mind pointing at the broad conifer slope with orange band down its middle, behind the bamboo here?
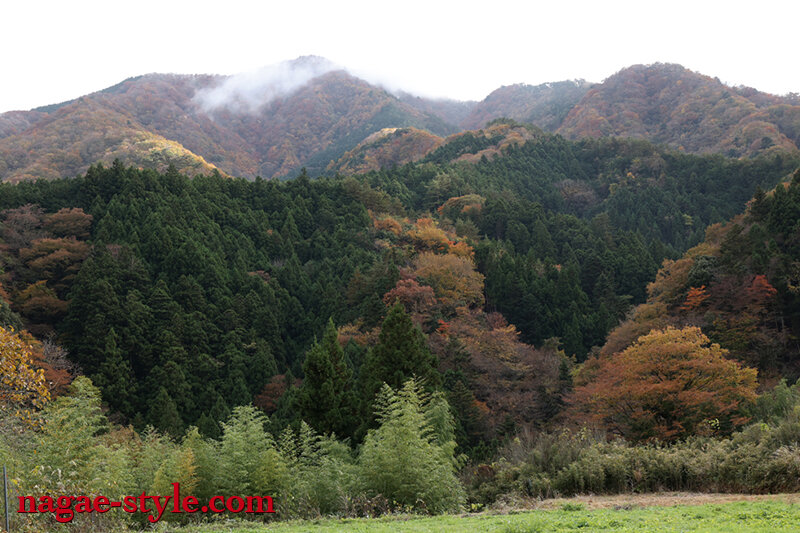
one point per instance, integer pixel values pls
(183, 298)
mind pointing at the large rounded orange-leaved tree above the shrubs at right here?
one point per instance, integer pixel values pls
(667, 385)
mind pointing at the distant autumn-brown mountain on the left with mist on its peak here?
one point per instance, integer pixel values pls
(303, 113)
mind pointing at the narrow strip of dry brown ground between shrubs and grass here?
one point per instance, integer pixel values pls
(657, 499)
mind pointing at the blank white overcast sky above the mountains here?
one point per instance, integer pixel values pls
(51, 51)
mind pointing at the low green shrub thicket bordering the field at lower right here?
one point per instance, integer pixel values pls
(760, 458)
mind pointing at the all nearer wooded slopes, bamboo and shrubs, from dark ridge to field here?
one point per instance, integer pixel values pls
(407, 324)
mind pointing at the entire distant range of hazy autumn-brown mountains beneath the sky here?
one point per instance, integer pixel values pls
(158, 119)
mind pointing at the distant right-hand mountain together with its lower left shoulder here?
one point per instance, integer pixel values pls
(663, 103)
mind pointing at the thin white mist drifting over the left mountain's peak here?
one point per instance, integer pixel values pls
(249, 91)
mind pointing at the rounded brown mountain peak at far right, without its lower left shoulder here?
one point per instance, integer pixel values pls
(670, 104)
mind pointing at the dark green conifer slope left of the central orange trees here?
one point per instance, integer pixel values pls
(190, 295)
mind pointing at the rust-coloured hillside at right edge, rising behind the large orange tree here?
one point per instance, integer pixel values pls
(739, 286)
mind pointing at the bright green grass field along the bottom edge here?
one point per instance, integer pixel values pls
(738, 516)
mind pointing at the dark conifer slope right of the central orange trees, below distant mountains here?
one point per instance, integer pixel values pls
(576, 230)
